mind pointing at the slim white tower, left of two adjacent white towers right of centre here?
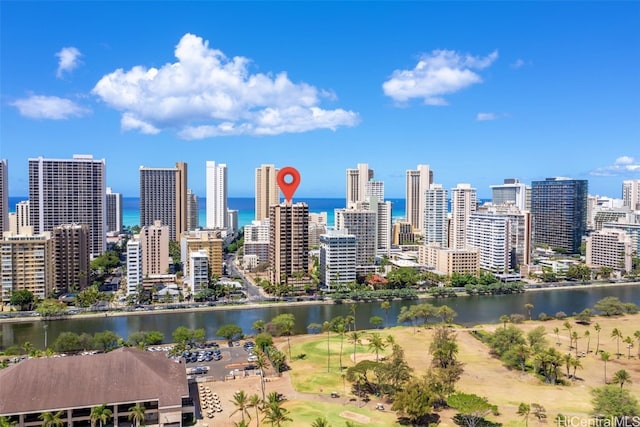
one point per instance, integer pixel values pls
(434, 229)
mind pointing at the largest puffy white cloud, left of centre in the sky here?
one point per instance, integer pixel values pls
(206, 94)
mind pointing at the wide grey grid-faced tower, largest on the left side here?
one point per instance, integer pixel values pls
(69, 191)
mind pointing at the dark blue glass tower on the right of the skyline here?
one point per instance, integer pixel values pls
(559, 212)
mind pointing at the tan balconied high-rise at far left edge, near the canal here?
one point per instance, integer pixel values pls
(27, 263)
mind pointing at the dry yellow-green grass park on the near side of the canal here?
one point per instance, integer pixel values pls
(316, 387)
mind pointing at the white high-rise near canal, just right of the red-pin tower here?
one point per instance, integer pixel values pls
(337, 259)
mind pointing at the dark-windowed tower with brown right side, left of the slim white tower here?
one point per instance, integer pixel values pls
(163, 196)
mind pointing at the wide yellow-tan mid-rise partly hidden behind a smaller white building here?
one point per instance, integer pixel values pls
(208, 240)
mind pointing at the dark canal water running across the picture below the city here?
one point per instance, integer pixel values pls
(471, 311)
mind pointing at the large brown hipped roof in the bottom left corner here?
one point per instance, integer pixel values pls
(123, 375)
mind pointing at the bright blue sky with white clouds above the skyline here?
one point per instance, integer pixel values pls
(480, 91)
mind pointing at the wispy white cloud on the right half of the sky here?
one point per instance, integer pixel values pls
(438, 73)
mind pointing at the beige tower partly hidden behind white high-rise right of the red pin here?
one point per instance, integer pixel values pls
(363, 224)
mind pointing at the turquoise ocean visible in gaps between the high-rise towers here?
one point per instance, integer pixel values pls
(244, 205)
